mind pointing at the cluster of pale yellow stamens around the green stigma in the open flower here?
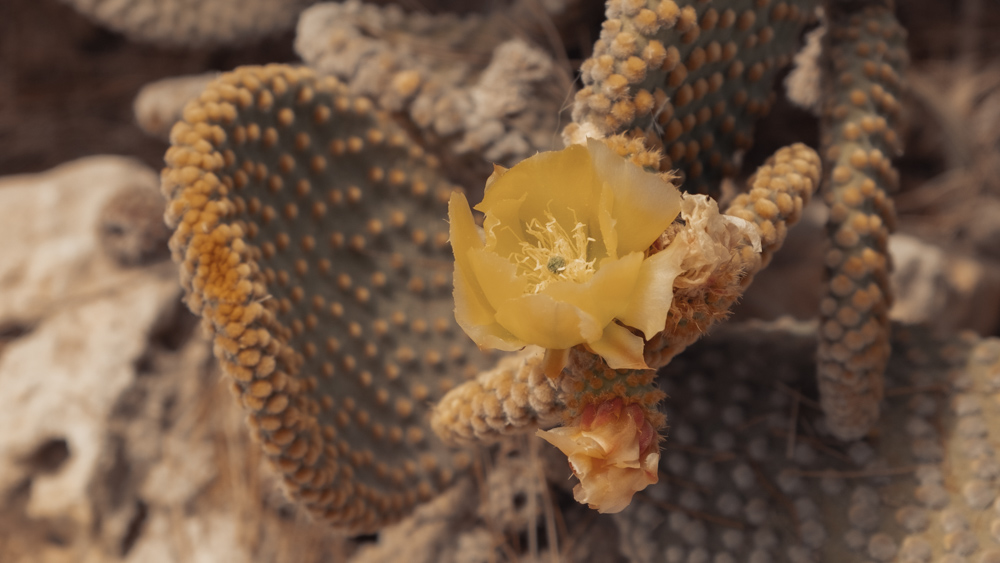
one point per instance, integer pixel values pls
(557, 255)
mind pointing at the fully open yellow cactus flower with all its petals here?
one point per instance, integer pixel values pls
(562, 256)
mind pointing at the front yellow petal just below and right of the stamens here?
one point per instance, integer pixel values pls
(607, 294)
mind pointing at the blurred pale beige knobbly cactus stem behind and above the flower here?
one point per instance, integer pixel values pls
(469, 84)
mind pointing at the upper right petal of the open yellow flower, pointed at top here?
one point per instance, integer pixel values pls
(644, 205)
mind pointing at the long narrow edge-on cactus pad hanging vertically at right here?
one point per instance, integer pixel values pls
(864, 58)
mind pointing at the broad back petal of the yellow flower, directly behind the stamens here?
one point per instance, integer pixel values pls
(559, 182)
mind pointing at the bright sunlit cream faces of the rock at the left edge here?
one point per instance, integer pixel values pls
(89, 324)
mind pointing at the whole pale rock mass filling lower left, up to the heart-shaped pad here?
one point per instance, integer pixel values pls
(120, 441)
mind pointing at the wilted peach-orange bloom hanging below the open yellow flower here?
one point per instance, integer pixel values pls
(613, 451)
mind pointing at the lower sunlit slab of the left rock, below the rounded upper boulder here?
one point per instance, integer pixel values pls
(61, 381)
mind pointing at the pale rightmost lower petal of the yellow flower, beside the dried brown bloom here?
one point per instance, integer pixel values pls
(654, 291)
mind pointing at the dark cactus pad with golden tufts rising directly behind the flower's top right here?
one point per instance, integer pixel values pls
(688, 77)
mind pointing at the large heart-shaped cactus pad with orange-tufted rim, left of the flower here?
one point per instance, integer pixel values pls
(309, 234)
